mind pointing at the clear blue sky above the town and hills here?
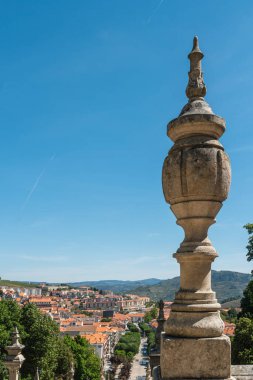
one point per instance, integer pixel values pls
(86, 91)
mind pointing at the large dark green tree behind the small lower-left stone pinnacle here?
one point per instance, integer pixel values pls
(43, 346)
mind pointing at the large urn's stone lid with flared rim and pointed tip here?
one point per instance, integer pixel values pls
(196, 117)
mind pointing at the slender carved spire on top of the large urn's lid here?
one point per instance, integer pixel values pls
(196, 87)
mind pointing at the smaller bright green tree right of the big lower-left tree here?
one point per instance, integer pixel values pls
(87, 364)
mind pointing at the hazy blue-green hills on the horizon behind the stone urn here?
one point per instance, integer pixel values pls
(226, 284)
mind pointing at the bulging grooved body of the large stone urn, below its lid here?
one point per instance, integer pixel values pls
(196, 170)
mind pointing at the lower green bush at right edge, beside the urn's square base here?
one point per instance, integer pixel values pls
(242, 343)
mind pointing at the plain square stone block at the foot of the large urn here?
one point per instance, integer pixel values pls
(195, 358)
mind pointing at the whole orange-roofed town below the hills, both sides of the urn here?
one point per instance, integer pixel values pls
(99, 316)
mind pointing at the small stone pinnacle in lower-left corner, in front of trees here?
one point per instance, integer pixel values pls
(14, 358)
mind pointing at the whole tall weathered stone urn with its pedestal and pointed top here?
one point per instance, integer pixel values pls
(196, 179)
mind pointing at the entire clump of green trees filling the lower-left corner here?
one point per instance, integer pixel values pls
(44, 348)
